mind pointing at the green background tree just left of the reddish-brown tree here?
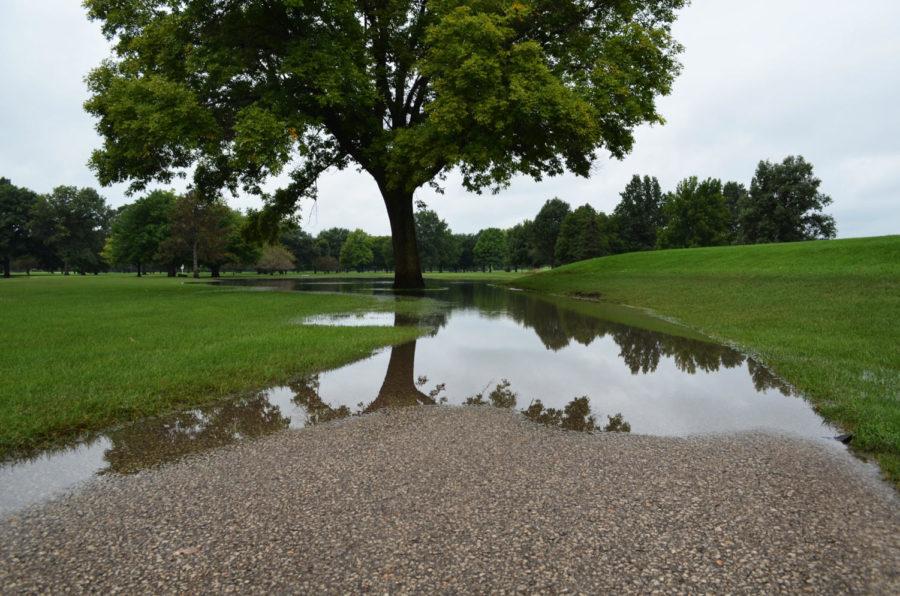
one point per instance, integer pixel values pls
(139, 229)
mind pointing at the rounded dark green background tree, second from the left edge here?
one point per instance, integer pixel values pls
(72, 224)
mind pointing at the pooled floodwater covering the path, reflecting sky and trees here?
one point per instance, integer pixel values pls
(483, 344)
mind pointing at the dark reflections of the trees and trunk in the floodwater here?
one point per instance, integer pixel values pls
(167, 438)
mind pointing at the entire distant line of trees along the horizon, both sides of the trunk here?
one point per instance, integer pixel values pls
(73, 229)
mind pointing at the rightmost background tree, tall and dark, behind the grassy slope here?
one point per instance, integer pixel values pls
(785, 205)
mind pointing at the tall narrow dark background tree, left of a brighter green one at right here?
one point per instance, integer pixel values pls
(639, 214)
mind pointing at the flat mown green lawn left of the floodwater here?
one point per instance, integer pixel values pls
(82, 353)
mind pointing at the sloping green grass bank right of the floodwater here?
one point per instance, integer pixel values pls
(825, 315)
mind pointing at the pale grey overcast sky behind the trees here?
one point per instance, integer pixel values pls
(762, 80)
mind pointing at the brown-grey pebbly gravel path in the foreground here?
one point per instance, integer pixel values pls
(470, 499)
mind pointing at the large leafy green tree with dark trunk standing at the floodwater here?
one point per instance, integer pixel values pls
(405, 90)
